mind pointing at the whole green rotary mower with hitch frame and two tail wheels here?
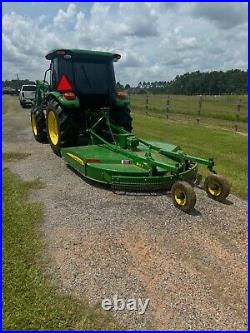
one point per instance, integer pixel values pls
(129, 163)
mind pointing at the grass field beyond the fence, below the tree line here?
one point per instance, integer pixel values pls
(218, 110)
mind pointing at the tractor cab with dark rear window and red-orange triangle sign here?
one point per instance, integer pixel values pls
(87, 74)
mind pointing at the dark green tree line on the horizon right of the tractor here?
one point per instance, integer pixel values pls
(234, 81)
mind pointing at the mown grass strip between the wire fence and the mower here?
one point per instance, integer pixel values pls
(228, 149)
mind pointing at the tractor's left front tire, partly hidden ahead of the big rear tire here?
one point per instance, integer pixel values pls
(38, 125)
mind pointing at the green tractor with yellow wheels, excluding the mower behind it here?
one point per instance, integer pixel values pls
(80, 84)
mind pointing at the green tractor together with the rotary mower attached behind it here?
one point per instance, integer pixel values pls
(88, 123)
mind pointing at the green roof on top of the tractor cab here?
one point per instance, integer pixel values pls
(79, 53)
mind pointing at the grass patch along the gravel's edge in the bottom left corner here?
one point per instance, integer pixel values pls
(29, 300)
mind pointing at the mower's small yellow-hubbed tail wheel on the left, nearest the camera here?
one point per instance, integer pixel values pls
(183, 196)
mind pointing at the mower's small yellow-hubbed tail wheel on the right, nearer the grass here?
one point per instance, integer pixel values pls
(217, 187)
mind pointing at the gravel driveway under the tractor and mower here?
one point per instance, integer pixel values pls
(193, 268)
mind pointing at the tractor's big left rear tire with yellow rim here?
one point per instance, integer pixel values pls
(62, 127)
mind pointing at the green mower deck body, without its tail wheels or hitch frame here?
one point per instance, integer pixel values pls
(130, 170)
